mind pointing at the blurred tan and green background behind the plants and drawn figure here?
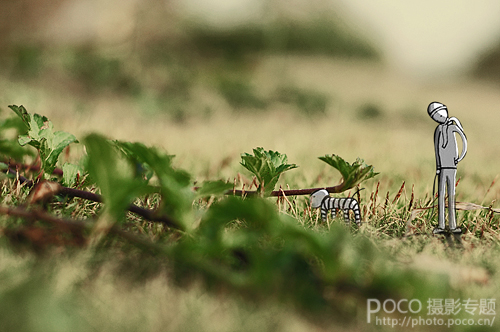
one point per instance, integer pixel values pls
(208, 80)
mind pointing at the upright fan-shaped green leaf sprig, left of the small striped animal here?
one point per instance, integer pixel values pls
(267, 166)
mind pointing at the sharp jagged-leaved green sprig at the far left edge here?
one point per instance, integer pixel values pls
(42, 137)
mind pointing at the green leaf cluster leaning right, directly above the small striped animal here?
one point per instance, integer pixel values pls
(352, 174)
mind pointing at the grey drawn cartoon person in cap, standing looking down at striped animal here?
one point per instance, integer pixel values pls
(446, 149)
